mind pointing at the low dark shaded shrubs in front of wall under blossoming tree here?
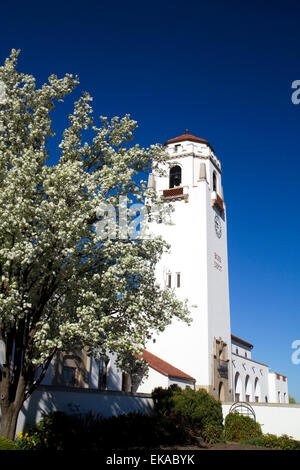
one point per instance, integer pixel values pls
(59, 431)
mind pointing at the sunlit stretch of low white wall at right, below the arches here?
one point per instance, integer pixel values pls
(275, 418)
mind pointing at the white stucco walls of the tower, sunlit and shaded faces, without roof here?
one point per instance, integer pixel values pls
(194, 247)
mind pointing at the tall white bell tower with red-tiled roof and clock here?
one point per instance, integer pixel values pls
(197, 266)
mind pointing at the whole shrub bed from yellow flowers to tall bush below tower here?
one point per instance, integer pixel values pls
(180, 416)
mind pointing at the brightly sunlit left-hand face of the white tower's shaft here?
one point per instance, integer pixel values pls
(182, 345)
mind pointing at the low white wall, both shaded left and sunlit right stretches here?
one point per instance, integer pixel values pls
(274, 418)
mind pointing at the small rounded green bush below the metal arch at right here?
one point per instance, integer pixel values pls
(239, 427)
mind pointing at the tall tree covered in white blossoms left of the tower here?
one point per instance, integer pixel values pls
(63, 285)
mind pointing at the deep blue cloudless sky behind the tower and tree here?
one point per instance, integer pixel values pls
(224, 71)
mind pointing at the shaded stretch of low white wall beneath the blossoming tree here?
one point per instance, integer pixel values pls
(47, 399)
